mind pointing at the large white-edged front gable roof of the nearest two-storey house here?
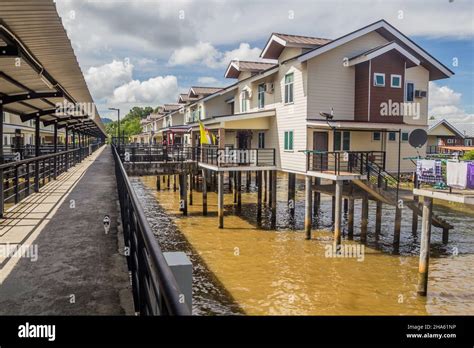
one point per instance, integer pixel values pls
(437, 69)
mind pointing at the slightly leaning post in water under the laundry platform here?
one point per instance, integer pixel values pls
(425, 246)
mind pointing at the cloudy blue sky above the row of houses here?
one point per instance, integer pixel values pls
(146, 52)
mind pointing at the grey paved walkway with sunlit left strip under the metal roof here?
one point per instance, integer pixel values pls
(70, 266)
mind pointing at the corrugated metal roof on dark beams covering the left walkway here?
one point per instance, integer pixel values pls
(39, 70)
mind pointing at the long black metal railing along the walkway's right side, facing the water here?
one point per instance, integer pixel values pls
(155, 290)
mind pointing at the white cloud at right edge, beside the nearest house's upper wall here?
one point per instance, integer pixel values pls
(444, 102)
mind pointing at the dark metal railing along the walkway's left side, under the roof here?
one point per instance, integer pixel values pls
(18, 179)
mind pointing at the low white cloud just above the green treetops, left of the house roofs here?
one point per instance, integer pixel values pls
(154, 91)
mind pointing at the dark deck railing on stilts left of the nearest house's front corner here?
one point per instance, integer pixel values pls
(230, 157)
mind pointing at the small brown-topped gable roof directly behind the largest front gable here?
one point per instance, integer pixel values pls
(277, 42)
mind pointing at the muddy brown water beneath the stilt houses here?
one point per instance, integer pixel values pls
(256, 270)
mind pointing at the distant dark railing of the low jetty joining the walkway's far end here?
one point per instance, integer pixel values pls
(157, 153)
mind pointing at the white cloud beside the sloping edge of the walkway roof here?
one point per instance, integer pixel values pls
(103, 79)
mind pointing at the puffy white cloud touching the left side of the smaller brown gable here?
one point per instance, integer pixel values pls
(206, 54)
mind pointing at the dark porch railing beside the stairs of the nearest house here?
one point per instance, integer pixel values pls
(339, 162)
